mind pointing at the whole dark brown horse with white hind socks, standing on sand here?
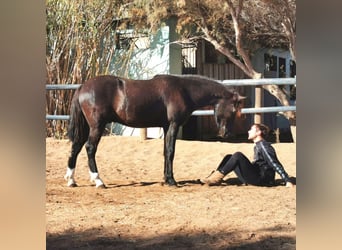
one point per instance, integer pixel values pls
(165, 101)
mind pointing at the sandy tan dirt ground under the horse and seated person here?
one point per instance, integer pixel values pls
(137, 211)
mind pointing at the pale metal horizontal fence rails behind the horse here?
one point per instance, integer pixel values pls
(237, 82)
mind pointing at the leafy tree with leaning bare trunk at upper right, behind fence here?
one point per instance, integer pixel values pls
(233, 27)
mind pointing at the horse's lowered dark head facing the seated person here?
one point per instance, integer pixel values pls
(225, 111)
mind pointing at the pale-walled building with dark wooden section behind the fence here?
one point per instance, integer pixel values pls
(159, 54)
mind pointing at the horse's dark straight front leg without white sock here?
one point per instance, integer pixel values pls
(169, 152)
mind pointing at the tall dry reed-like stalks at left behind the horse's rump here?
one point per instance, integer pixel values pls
(81, 43)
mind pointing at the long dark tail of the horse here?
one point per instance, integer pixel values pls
(78, 128)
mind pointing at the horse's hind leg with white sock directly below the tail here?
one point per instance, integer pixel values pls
(75, 150)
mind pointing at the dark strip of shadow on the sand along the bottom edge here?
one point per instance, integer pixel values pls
(97, 239)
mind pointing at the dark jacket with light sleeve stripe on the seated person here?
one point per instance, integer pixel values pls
(266, 159)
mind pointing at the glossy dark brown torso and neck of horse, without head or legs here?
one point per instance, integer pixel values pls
(145, 103)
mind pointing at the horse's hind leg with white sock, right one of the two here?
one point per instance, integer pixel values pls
(91, 147)
